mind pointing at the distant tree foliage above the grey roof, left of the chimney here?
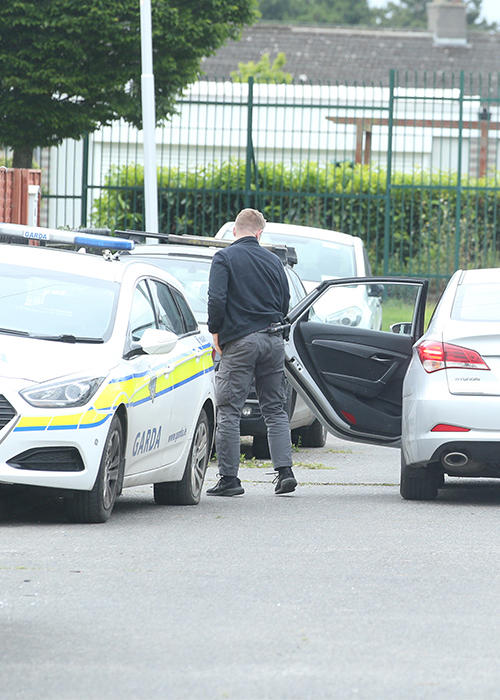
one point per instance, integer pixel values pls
(317, 11)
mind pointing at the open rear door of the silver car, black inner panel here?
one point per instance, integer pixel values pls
(348, 350)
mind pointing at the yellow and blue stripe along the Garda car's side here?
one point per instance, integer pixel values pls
(132, 390)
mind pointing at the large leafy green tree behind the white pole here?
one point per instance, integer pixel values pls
(69, 66)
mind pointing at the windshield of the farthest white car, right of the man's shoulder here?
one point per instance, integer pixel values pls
(318, 260)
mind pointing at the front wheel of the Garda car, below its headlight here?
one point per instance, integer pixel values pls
(96, 506)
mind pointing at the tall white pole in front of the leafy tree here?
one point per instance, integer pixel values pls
(148, 120)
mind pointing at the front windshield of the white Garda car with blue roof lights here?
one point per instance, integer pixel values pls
(54, 305)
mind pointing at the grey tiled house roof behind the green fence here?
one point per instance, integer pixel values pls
(350, 55)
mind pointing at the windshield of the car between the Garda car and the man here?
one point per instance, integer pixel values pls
(193, 274)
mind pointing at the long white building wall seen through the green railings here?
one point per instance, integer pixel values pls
(289, 124)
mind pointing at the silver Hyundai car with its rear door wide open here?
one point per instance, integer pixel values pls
(435, 395)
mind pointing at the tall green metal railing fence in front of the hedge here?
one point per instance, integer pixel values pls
(413, 167)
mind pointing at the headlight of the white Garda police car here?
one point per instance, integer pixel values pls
(62, 394)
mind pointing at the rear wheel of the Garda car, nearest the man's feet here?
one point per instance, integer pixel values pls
(187, 492)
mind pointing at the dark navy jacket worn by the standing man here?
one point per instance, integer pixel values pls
(248, 290)
